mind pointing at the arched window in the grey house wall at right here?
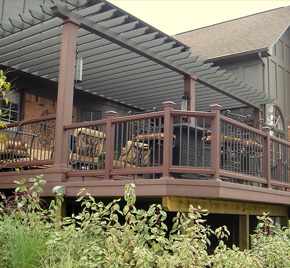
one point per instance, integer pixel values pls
(275, 120)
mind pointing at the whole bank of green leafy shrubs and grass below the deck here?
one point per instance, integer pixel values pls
(119, 234)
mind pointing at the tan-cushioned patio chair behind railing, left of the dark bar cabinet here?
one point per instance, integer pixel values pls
(134, 154)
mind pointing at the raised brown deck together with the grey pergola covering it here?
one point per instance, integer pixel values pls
(76, 130)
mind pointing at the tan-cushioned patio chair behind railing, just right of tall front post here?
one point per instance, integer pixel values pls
(86, 146)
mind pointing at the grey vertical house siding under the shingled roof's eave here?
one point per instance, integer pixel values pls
(269, 74)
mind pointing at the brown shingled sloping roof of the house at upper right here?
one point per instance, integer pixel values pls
(251, 33)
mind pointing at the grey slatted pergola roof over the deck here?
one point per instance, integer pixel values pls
(125, 59)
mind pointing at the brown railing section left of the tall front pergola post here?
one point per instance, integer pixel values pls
(28, 143)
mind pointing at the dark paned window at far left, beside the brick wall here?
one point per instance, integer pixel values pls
(12, 109)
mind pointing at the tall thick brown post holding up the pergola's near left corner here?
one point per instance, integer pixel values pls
(65, 91)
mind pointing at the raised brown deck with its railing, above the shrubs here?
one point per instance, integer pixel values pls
(168, 153)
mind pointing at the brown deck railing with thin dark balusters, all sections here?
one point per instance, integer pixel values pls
(169, 143)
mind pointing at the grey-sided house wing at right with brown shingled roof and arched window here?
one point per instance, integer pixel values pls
(255, 48)
